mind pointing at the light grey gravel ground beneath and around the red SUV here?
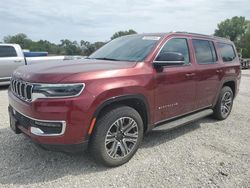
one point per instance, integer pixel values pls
(206, 153)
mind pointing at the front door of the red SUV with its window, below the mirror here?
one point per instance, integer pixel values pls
(175, 85)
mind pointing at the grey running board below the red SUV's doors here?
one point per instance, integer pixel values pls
(184, 120)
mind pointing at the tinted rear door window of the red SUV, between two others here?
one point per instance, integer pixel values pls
(204, 51)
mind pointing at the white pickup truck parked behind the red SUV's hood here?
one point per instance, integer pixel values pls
(11, 57)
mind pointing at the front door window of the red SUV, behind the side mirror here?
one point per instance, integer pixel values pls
(178, 45)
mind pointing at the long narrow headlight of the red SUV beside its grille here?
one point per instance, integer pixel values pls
(56, 90)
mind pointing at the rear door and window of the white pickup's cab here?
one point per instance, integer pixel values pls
(9, 61)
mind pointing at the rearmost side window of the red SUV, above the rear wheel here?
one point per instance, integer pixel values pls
(227, 52)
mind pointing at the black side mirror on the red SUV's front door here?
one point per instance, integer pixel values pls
(168, 59)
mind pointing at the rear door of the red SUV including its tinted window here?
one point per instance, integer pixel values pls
(209, 72)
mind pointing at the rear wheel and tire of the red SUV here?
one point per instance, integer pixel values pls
(224, 103)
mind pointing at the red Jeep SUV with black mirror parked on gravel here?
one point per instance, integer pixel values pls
(128, 87)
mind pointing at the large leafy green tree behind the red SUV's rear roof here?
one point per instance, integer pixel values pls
(233, 28)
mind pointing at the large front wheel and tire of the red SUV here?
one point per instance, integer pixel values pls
(117, 136)
